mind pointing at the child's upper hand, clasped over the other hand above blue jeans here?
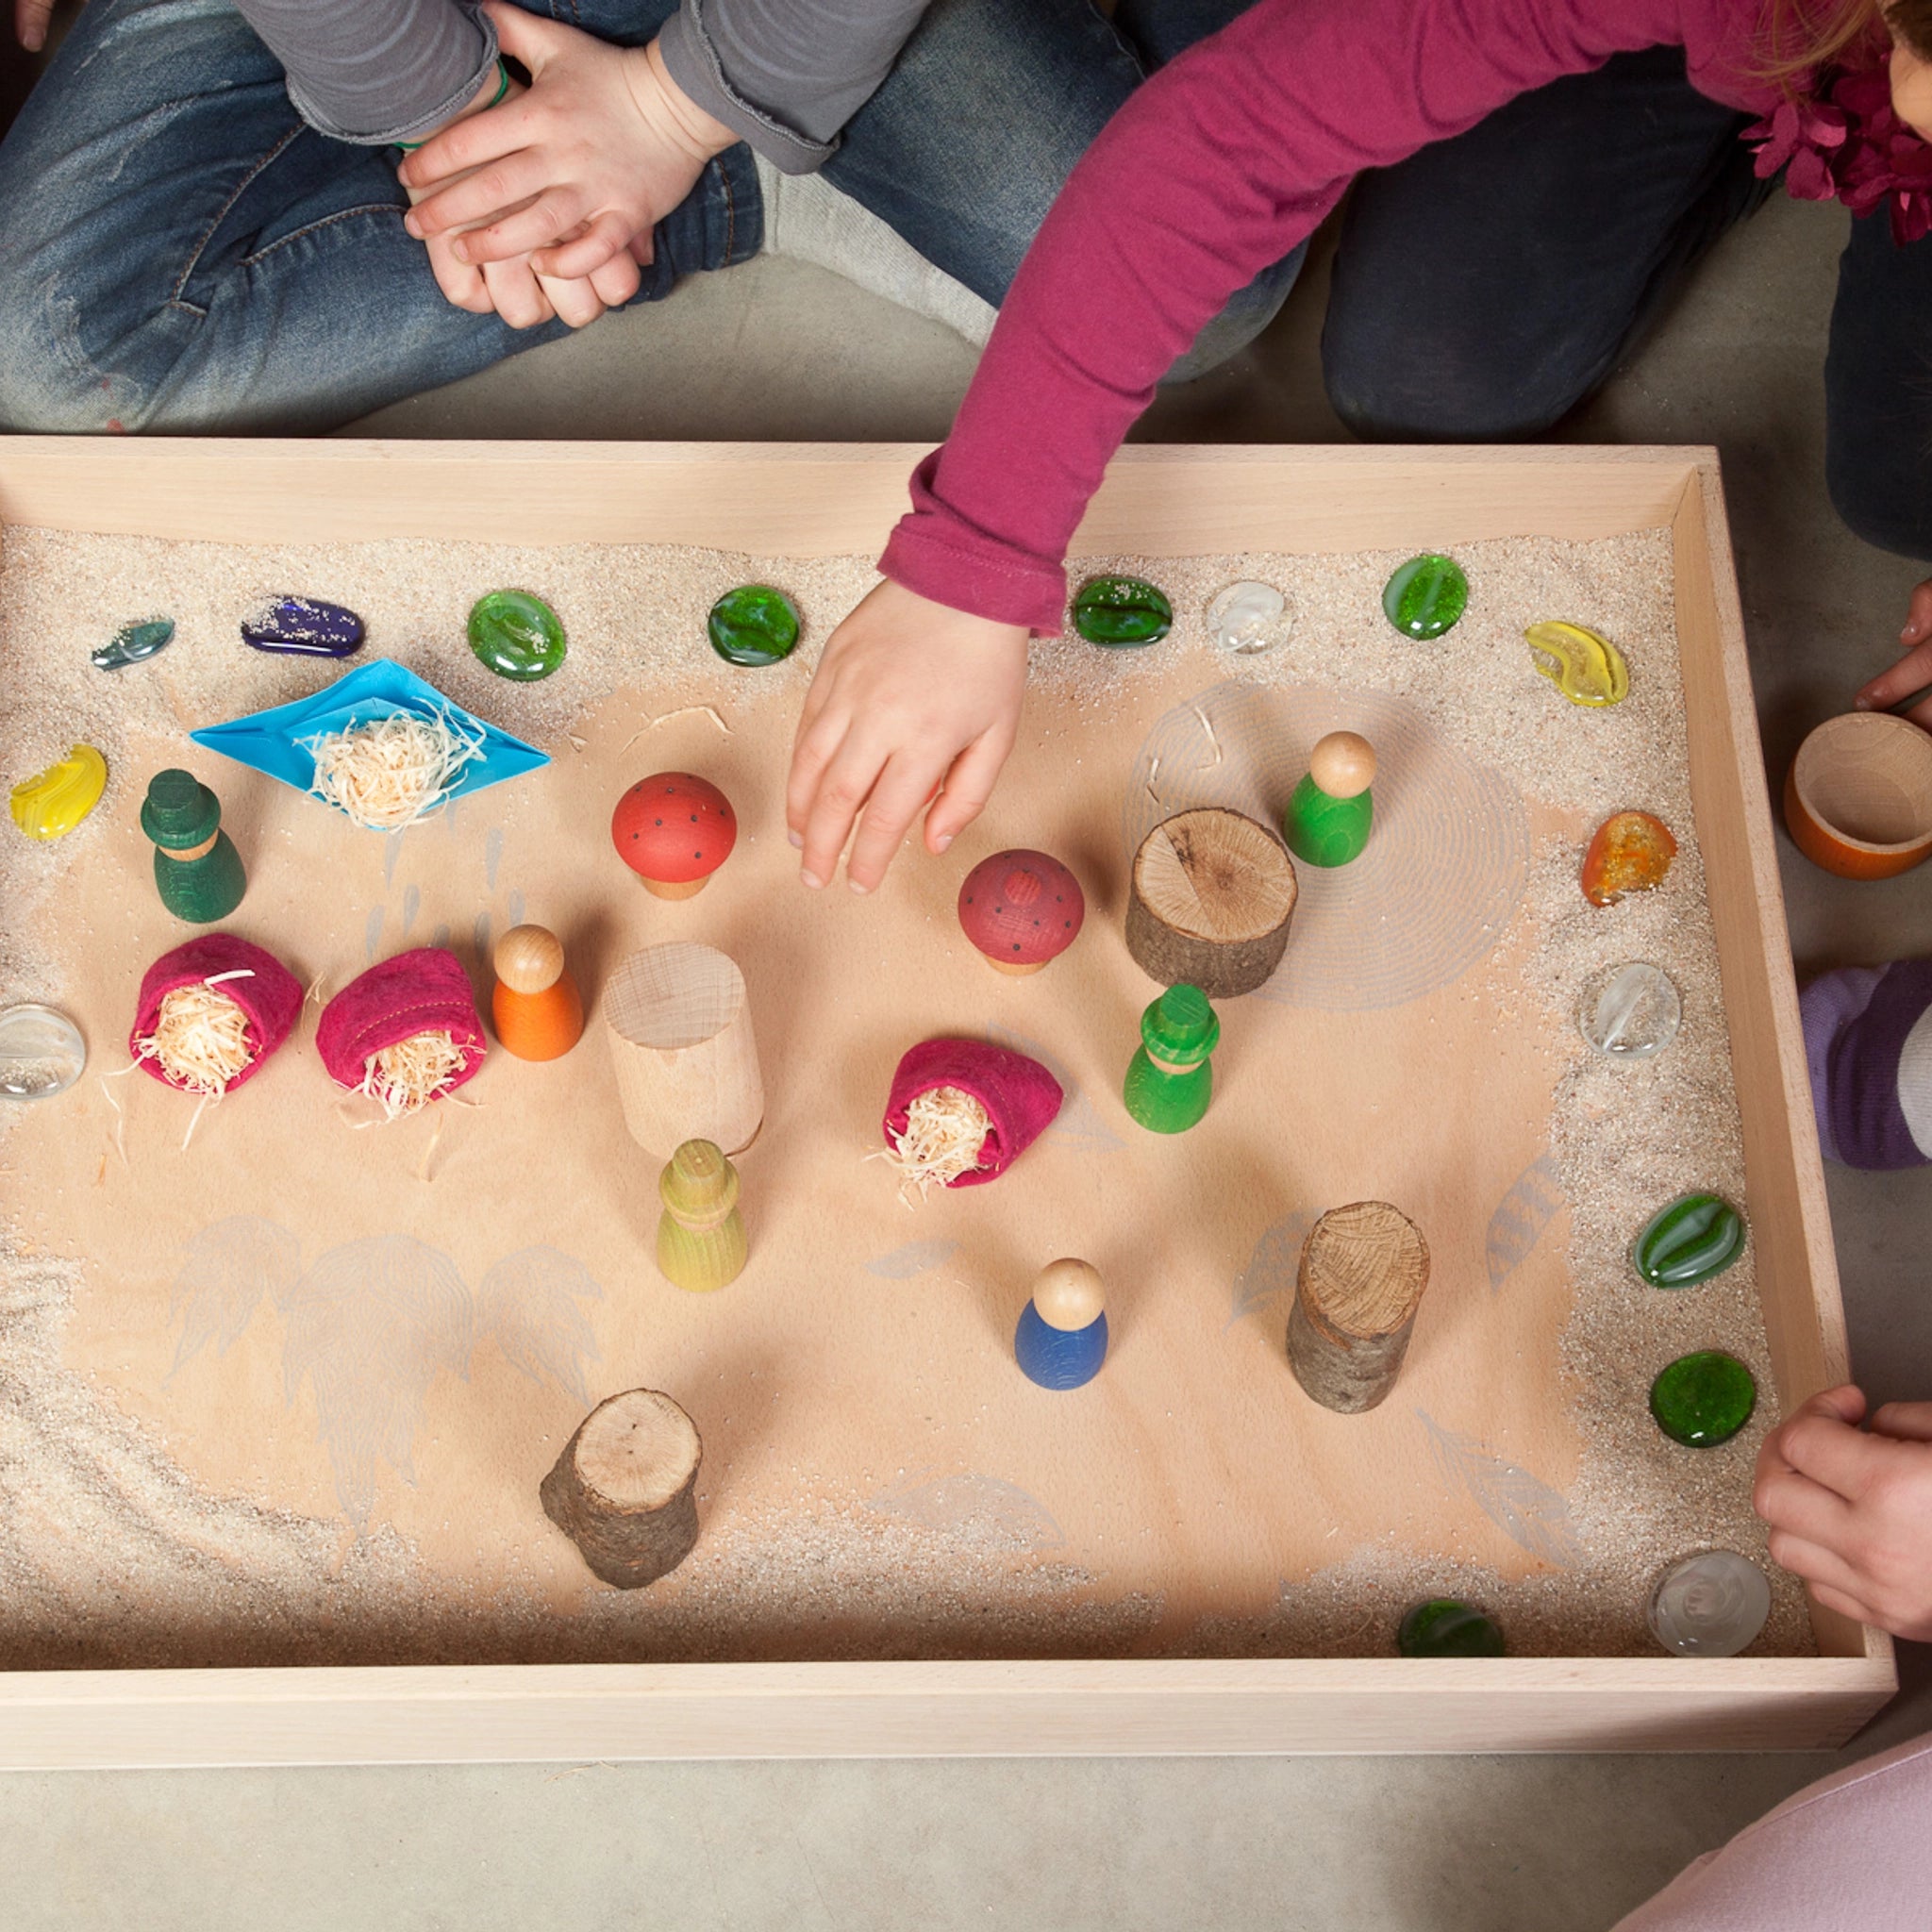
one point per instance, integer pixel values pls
(579, 169)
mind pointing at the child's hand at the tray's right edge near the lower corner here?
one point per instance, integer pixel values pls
(1852, 1510)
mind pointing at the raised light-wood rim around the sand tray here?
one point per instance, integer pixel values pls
(826, 499)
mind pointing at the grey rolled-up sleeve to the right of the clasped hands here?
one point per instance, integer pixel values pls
(787, 74)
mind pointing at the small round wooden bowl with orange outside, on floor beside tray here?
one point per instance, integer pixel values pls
(1860, 797)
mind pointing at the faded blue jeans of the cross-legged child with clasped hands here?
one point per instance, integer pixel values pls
(181, 252)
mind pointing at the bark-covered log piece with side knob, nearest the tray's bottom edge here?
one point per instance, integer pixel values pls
(625, 1491)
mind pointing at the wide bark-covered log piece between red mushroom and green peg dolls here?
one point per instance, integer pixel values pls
(1210, 903)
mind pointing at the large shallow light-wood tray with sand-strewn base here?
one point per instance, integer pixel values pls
(366, 1348)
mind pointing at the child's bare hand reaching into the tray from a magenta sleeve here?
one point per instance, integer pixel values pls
(909, 700)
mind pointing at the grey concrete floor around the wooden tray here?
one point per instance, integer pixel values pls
(1483, 1844)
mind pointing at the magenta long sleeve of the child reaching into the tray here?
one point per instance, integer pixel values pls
(1216, 169)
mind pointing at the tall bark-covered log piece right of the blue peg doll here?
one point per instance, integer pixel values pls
(1363, 1274)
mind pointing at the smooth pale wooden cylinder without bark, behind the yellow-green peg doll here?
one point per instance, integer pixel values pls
(683, 1046)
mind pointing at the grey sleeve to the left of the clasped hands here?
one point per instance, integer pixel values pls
(376, 71)
